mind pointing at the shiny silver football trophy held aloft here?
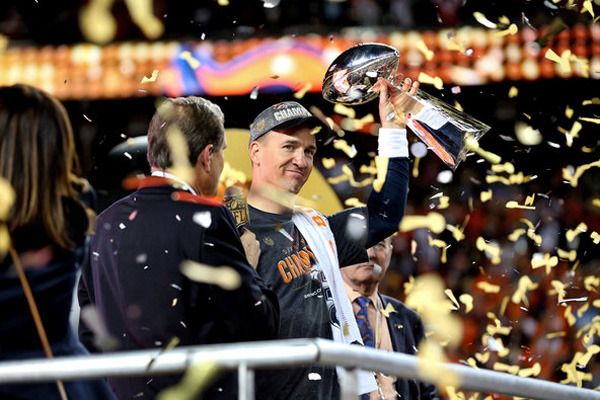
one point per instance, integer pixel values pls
(443, 128)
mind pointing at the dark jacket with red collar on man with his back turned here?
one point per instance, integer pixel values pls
(132, 276)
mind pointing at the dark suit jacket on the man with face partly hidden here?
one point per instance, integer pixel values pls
(406, 331)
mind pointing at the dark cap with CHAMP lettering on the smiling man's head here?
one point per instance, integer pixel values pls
(286, 115)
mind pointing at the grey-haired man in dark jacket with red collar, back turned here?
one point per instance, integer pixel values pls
(133, 274)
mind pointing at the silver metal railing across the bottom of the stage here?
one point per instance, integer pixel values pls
(245, 357)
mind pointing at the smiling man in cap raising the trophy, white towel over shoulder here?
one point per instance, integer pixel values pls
(301, 249)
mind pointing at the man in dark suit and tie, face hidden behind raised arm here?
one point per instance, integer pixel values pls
(385, 323)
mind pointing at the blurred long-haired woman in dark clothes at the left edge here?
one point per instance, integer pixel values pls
(47, 225)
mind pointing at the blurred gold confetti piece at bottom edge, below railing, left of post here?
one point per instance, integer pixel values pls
(196, 379)
